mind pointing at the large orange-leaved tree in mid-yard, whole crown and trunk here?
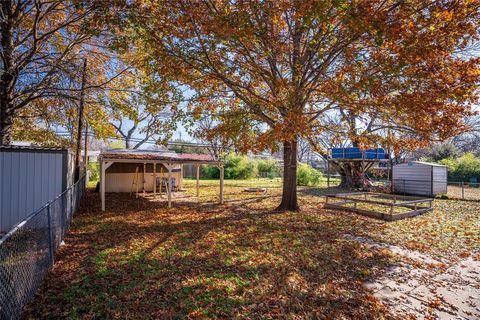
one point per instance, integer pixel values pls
(284, 65)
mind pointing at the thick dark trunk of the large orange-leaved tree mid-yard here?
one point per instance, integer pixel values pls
(289, 195)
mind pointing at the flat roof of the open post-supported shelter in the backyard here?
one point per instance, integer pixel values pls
(135, 154)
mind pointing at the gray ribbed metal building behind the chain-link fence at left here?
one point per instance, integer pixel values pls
(29, 178)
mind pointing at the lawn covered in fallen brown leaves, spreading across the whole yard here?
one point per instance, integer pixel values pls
(141, 260)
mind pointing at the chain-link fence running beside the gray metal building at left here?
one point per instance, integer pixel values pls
(27, 251)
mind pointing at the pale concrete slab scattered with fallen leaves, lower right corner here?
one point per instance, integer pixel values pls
(452, 293)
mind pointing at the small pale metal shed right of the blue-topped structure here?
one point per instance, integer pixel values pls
(420, 178)
